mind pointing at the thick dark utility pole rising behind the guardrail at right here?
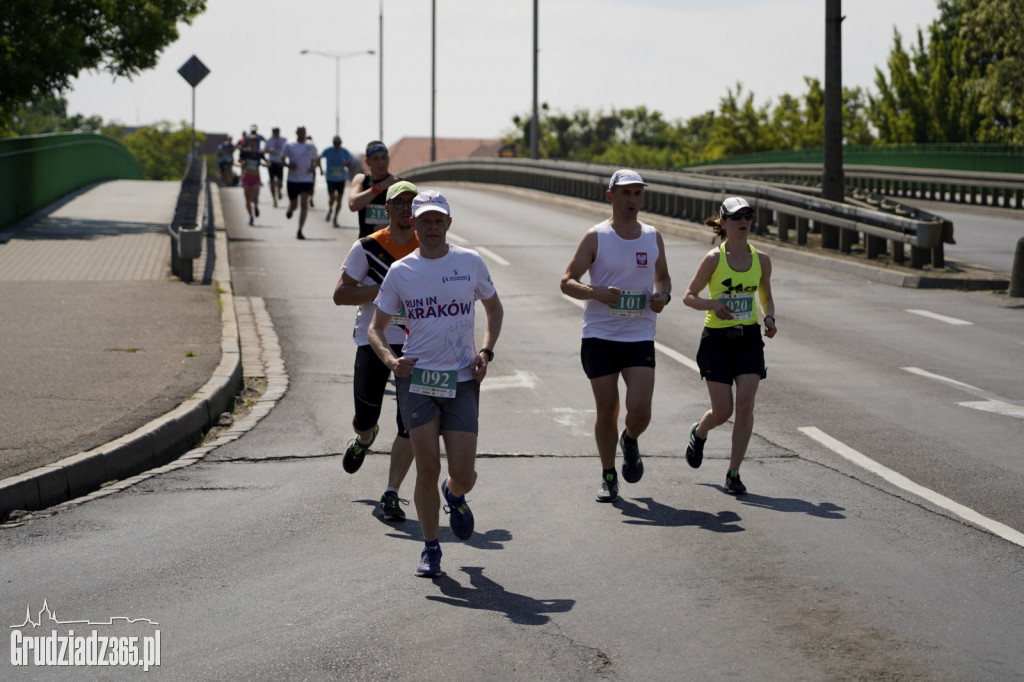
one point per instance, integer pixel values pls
(833, 182)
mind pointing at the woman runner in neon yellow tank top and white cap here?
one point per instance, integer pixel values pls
(732, 348)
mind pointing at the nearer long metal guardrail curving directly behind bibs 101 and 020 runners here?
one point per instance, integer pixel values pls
(697, 196)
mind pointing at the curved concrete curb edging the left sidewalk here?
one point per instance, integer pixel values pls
(159, 442)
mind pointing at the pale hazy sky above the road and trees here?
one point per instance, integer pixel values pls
(676, 57)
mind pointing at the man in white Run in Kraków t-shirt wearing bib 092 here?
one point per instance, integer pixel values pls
(439, 377)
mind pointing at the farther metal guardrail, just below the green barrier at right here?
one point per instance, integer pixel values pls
(979, 189)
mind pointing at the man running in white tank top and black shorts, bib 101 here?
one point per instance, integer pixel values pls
(629, 284)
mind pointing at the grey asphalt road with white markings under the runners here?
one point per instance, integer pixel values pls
(267, 562)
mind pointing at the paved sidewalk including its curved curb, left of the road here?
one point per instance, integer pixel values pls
(100, 342)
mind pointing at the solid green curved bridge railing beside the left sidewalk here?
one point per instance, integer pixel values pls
(38, 170)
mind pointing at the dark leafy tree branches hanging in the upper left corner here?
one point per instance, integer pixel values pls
(46, 44)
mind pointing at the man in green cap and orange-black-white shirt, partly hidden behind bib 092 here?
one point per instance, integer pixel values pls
(362, 275)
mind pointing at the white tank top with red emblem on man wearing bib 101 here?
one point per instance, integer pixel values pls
(628, 265)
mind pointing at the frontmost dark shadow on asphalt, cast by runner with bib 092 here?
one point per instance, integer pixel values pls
(486, 594)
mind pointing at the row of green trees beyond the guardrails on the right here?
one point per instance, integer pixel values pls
(962, 80)
